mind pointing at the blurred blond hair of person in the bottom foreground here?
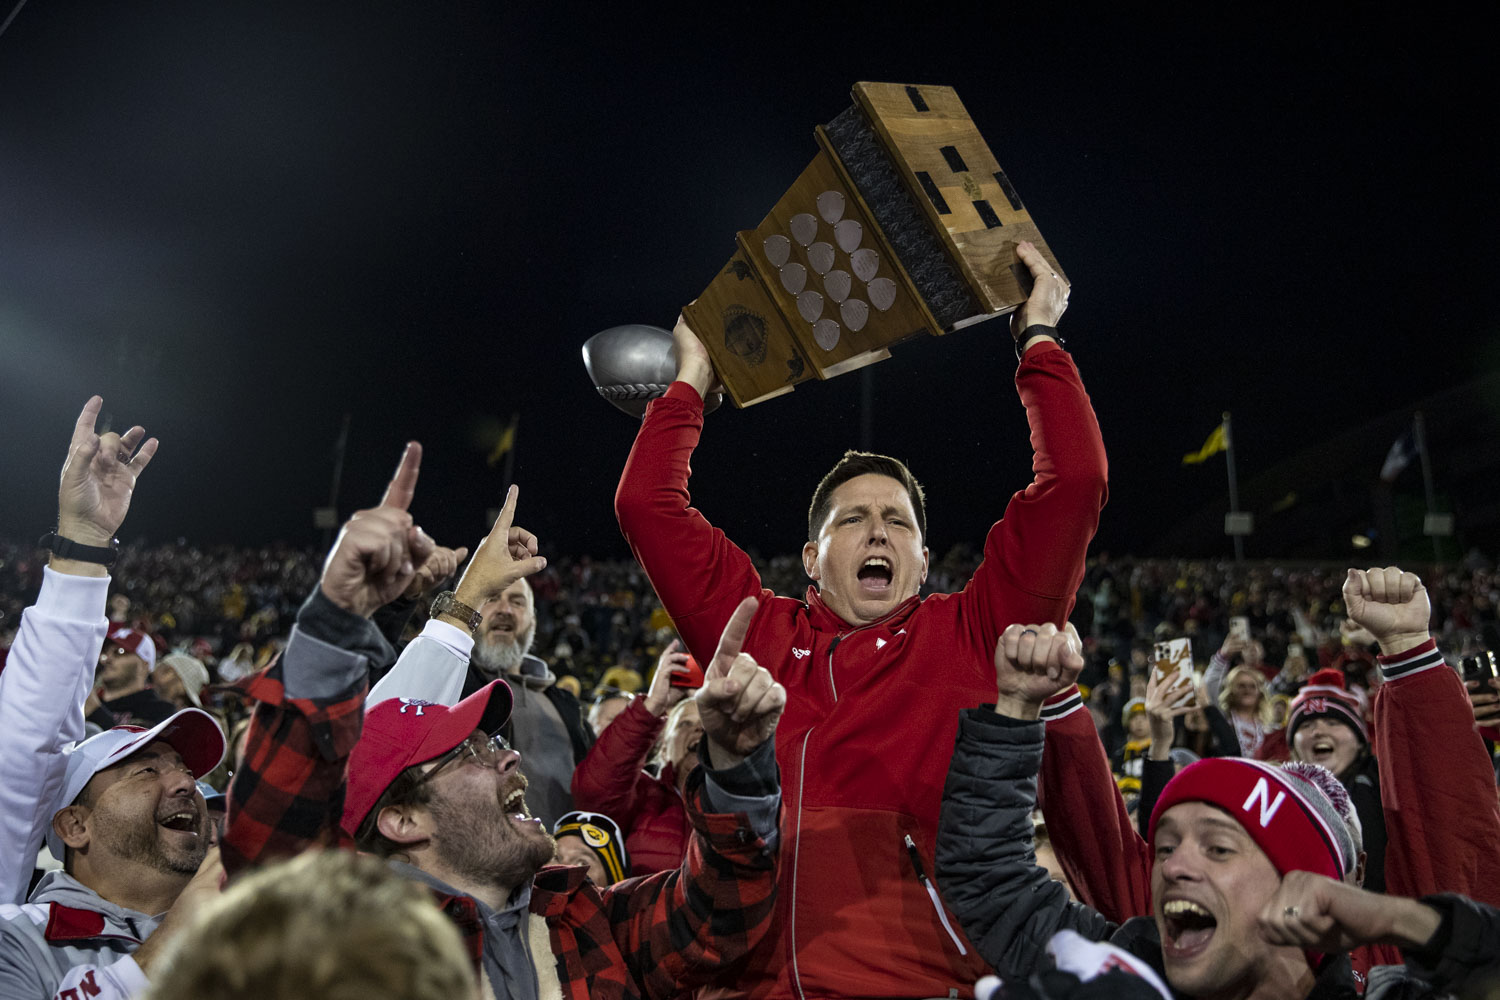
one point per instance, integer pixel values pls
(328, 924)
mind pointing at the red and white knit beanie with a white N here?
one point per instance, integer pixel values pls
(1285, 813)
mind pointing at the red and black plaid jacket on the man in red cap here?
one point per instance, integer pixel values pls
(644, 938)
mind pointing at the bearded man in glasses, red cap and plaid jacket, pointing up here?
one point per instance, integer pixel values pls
(442, 794)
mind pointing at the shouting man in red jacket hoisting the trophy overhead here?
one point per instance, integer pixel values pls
(875, 675)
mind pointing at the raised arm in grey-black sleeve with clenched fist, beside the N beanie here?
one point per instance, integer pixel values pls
(986, 852)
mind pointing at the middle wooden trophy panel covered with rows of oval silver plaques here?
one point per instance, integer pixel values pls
(826, 263)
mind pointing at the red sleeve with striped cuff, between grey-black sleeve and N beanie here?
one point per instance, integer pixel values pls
(1105, 858)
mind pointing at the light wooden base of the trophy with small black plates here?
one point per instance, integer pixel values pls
(961, 188)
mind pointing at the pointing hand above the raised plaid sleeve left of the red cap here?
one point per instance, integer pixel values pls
(379, 551)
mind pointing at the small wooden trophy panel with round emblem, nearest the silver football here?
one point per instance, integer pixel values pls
(754, 352)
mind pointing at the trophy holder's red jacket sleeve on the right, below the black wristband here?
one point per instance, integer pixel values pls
(1034, 555)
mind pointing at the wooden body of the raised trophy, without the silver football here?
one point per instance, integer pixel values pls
(904, 224)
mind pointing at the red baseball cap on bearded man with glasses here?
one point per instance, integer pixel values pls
(404, 732)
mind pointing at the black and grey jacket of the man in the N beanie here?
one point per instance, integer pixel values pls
(1010, 908)
